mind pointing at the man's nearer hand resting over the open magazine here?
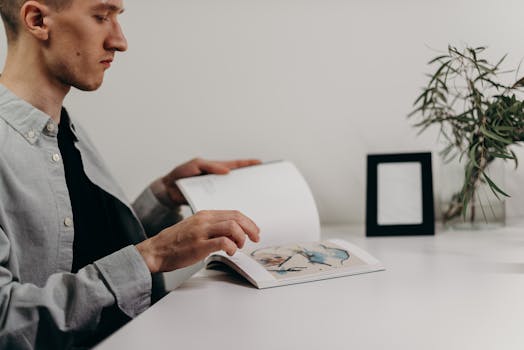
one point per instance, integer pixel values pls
(194, 238)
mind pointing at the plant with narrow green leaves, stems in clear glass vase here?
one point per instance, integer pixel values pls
(479, 118)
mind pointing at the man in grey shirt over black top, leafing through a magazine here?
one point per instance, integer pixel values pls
(75, 263)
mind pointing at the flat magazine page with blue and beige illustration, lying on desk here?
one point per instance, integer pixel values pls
(301, 262)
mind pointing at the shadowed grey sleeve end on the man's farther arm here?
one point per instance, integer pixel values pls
(154, 215)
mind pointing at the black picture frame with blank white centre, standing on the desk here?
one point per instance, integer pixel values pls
(399, 195)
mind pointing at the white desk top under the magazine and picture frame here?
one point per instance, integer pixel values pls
(455, 290)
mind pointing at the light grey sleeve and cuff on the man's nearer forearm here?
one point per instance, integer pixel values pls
(68, 304)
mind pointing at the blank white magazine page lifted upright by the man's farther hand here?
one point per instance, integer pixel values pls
(274, 195)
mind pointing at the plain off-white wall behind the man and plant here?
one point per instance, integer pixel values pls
(319, 82)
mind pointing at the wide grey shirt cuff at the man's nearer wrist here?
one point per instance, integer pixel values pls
(128, 278)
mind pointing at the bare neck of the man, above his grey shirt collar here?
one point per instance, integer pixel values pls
(25, 75)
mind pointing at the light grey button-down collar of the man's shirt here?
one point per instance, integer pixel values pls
(27, 120)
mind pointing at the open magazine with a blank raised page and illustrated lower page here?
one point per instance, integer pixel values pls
(277, 198)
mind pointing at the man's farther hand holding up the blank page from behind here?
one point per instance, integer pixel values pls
(196, 167)
